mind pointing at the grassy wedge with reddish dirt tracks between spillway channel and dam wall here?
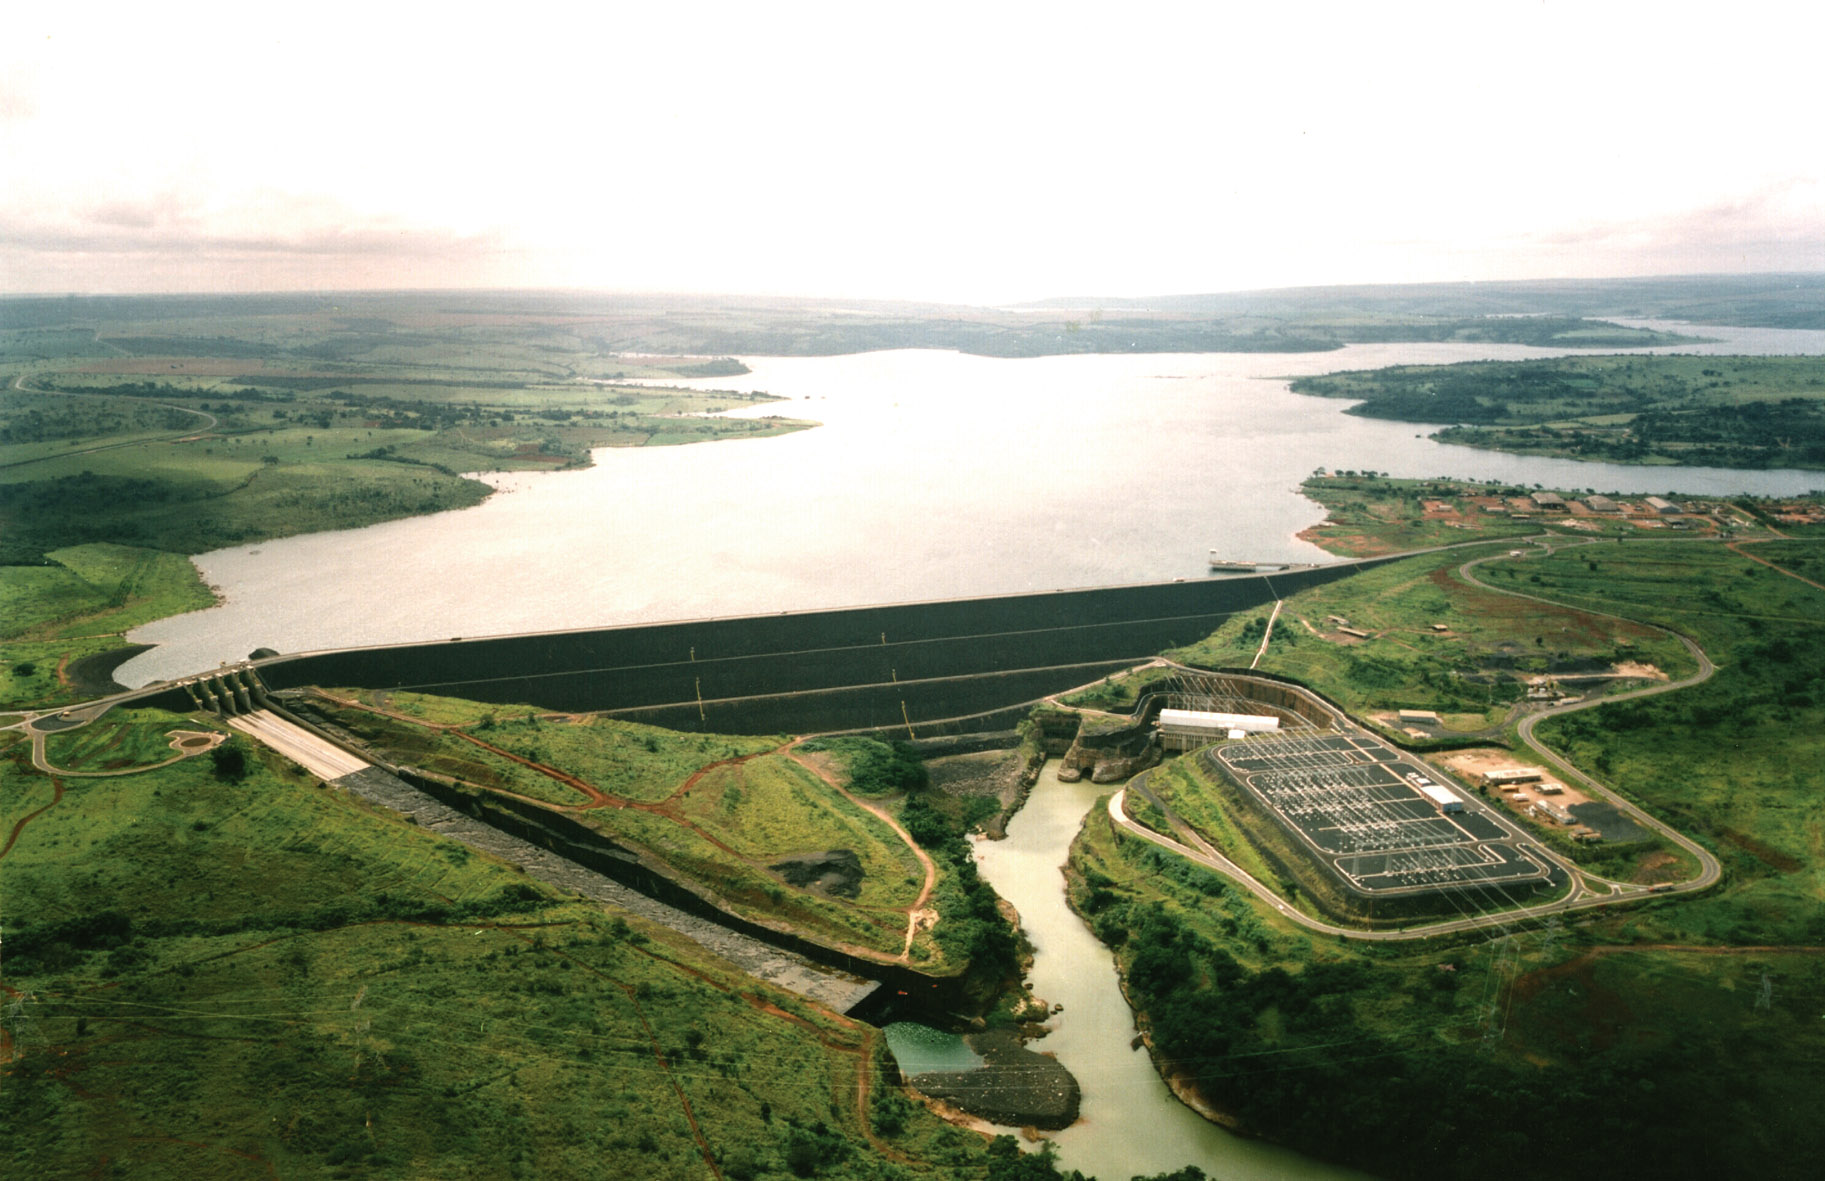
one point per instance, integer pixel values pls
(724, 811)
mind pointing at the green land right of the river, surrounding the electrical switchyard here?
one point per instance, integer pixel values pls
(1682, 1029)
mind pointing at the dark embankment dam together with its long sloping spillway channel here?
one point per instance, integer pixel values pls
(919, 671)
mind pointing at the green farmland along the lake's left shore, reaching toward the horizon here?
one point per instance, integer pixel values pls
(125, 450)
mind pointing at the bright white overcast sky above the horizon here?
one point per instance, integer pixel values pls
(954, 152)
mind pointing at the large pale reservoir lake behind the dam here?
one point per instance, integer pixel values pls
(933, 476)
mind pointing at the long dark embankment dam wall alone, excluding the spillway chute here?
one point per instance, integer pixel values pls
(924, 669)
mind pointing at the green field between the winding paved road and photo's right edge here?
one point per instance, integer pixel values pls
(1736, 760)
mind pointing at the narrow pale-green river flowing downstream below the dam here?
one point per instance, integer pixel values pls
(1131, 1120)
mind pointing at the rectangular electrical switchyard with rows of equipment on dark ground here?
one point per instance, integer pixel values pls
(1357, 806)
